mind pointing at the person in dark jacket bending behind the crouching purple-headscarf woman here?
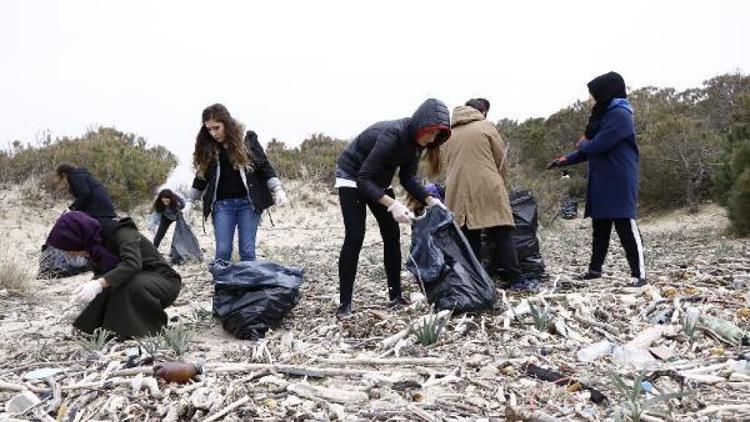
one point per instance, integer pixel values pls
(91, 196)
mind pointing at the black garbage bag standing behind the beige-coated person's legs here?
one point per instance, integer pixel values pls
(526, 219)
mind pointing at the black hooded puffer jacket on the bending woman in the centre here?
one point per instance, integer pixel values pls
(373, 157)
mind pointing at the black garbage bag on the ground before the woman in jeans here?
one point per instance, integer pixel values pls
(252, 296)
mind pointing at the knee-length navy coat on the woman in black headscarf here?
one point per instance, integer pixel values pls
(613, 162)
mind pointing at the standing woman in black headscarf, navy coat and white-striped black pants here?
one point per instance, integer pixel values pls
(610, 148)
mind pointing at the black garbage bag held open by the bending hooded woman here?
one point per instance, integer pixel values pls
(442, 259)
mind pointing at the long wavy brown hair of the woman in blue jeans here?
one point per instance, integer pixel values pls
(207, 149)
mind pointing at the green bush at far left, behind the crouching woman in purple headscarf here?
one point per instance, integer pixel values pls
(129, 169)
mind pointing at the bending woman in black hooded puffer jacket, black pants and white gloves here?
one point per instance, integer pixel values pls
(364, 172)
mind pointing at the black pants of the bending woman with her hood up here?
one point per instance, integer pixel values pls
(353, 208)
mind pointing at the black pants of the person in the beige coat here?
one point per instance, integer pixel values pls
(503, 253)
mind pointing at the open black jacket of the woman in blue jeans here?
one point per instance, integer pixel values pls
(260, 195)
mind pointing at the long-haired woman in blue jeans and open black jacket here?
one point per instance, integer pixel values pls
(234, 180)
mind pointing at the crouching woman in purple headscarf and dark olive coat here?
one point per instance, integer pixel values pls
(135, 283)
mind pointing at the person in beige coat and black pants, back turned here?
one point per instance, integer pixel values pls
(475, 187)
